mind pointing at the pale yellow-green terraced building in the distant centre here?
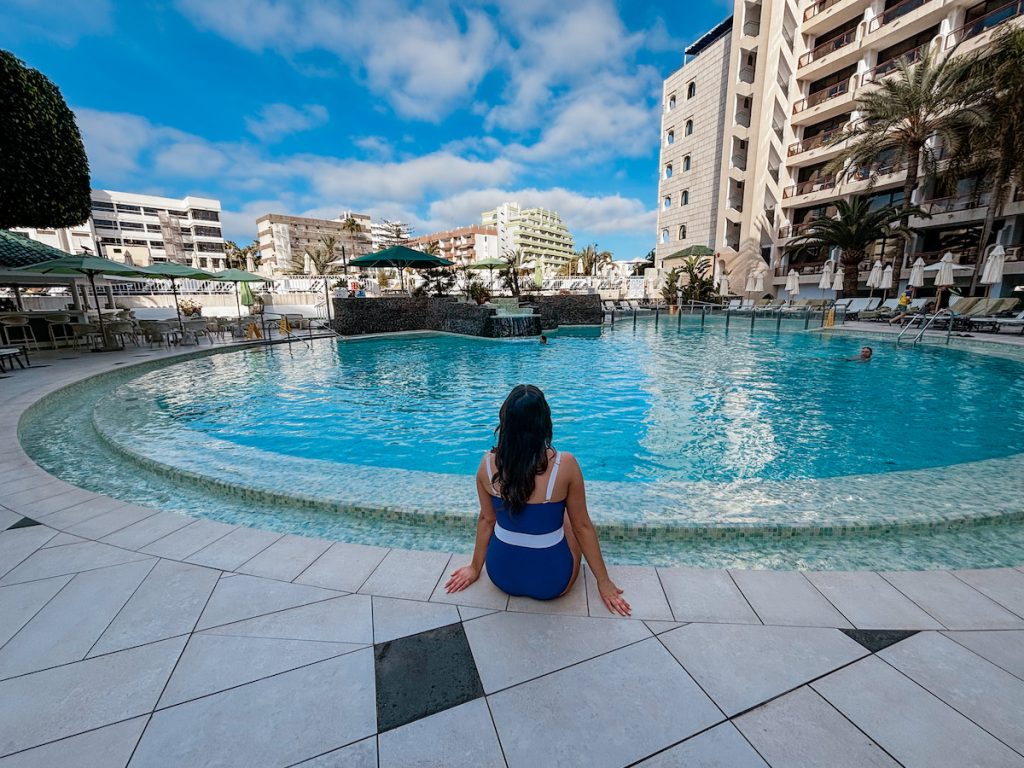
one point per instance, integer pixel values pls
(540, 234)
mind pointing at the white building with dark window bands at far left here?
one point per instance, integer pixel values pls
(145, 229)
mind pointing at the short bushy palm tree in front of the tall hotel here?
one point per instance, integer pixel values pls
(855, 230)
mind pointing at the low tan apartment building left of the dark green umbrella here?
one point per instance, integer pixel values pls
(284, 240)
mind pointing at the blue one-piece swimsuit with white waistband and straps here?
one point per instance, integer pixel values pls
(528, 554)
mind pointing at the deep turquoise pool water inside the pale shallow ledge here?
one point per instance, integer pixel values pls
(656, 405)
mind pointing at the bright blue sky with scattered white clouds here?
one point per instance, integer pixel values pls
(429, 112)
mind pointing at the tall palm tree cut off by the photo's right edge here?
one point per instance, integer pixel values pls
(996, 151)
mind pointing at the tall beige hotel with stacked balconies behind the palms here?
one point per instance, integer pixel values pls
(795, 72)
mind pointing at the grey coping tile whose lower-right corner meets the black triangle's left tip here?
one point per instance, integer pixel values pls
(787, 599)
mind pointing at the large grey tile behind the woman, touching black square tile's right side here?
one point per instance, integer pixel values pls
(510, 649)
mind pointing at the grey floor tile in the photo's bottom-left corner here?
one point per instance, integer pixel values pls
(108, 748)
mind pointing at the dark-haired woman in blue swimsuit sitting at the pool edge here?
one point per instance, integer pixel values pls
(531, 543)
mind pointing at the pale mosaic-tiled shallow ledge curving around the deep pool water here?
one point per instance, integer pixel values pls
(966, 493)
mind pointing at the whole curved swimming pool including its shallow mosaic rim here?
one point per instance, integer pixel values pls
(699, 446)
